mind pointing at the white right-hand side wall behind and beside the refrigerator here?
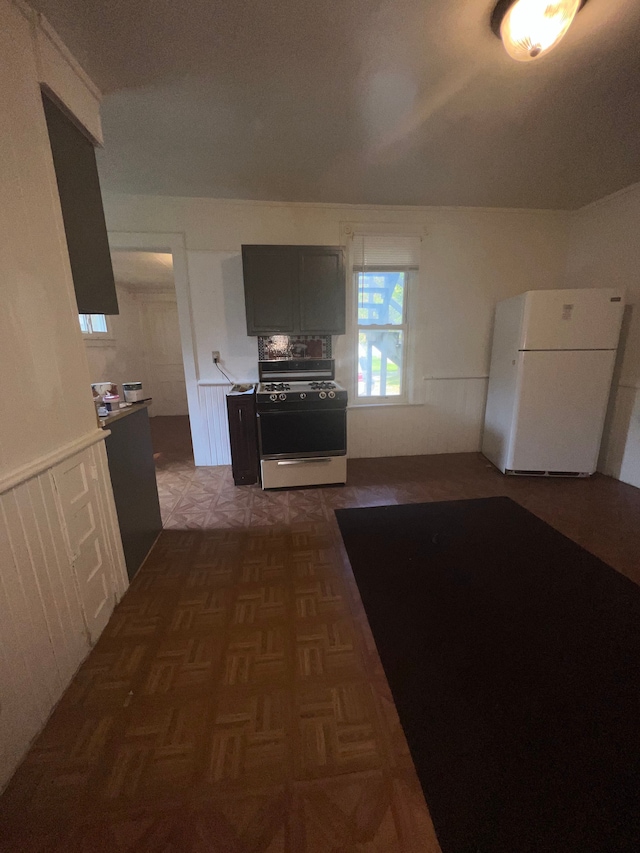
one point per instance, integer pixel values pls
(604, 251)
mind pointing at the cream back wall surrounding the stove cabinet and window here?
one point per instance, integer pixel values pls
(471, 258)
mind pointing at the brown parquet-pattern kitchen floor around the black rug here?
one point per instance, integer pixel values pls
(236, 702)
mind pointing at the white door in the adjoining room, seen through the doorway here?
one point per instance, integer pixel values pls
(163, 354)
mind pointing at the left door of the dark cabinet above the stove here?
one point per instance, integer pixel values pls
(270, 289)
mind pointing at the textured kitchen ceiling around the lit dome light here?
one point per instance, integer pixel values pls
(361, 101)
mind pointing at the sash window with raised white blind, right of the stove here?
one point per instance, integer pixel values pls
(385, 268)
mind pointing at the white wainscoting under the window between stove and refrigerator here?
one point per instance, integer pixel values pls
(449, 421)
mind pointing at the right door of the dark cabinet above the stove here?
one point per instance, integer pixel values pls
(322, 290)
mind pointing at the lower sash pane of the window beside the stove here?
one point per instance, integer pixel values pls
(380, 363)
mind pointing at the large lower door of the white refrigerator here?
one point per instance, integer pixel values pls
(561, 402)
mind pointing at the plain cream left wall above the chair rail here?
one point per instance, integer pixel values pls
(39, 334)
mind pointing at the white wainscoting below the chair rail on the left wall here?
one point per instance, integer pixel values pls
(58, 545)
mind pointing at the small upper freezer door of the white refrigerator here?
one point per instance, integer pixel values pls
(572, 319)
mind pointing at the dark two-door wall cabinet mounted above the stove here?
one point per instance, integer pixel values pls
(294, 289)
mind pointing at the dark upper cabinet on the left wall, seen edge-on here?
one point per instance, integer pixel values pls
(74, 159)
